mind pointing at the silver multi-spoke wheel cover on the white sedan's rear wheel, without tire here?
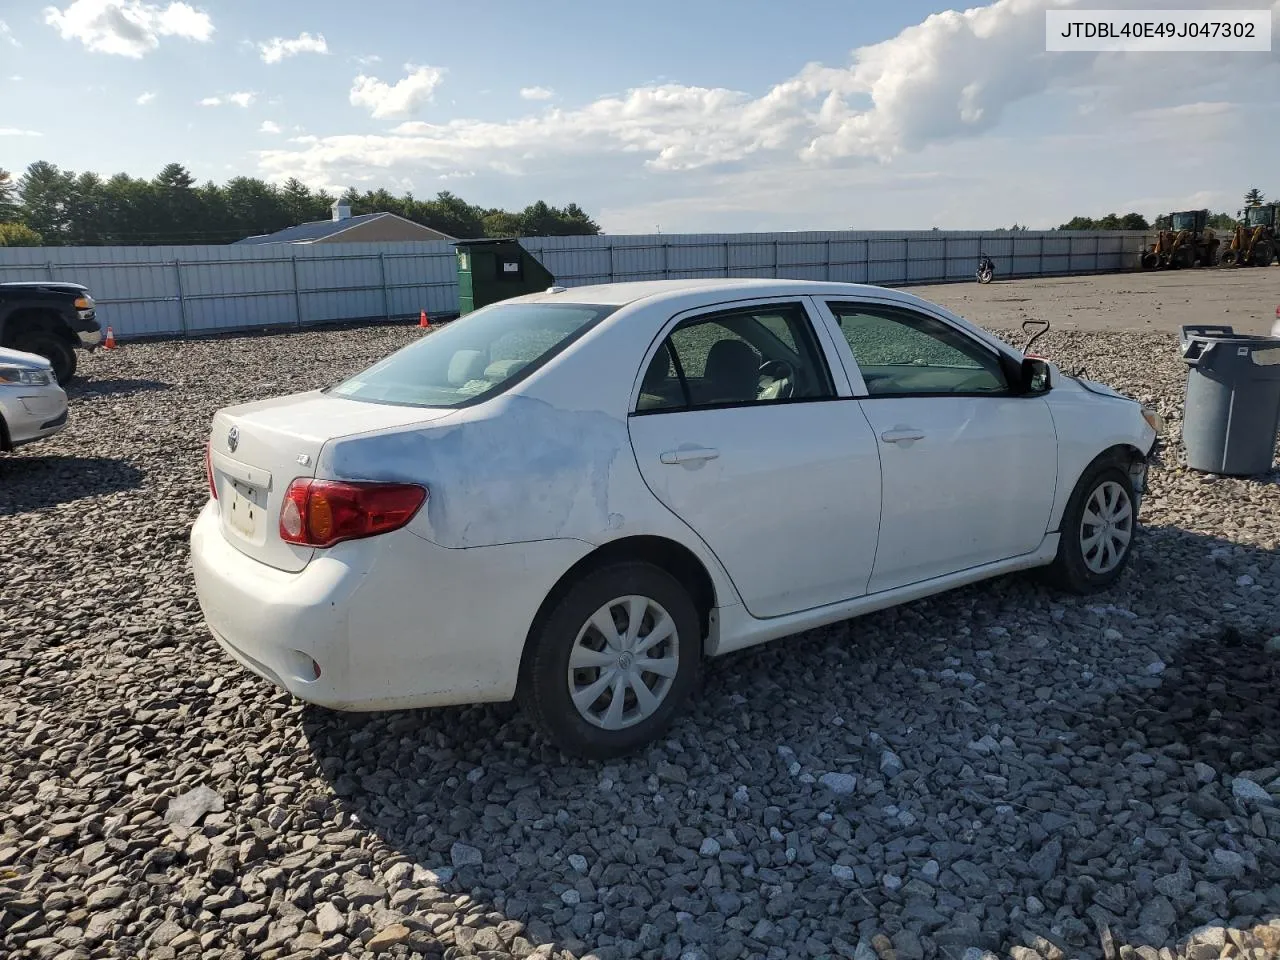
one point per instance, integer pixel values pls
(624, 662)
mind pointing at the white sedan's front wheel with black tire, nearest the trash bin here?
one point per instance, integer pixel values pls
(1092, 556)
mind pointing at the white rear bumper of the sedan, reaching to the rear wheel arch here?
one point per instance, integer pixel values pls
(388, 623)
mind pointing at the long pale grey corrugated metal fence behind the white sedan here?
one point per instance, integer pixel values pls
(203, 290)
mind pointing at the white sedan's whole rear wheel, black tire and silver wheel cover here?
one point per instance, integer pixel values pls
(589, 627)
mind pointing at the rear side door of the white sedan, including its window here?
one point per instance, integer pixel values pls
(746, 429)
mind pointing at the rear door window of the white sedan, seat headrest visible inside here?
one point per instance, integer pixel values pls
(761, 355)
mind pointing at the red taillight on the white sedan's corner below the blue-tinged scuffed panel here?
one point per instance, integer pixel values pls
(324, 513)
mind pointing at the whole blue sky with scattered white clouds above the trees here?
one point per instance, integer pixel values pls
(694, 116)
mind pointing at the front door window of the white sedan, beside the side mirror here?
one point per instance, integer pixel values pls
(902, 353)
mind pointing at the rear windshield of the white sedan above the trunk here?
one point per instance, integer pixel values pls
(473, 358)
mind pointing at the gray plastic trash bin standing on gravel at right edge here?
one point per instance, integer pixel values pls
(1233, 401)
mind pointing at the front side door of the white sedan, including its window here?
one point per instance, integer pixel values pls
(968, 467)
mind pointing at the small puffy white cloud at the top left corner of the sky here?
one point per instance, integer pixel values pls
(129, 28)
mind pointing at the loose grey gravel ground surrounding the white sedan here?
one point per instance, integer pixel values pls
(996, 770)
